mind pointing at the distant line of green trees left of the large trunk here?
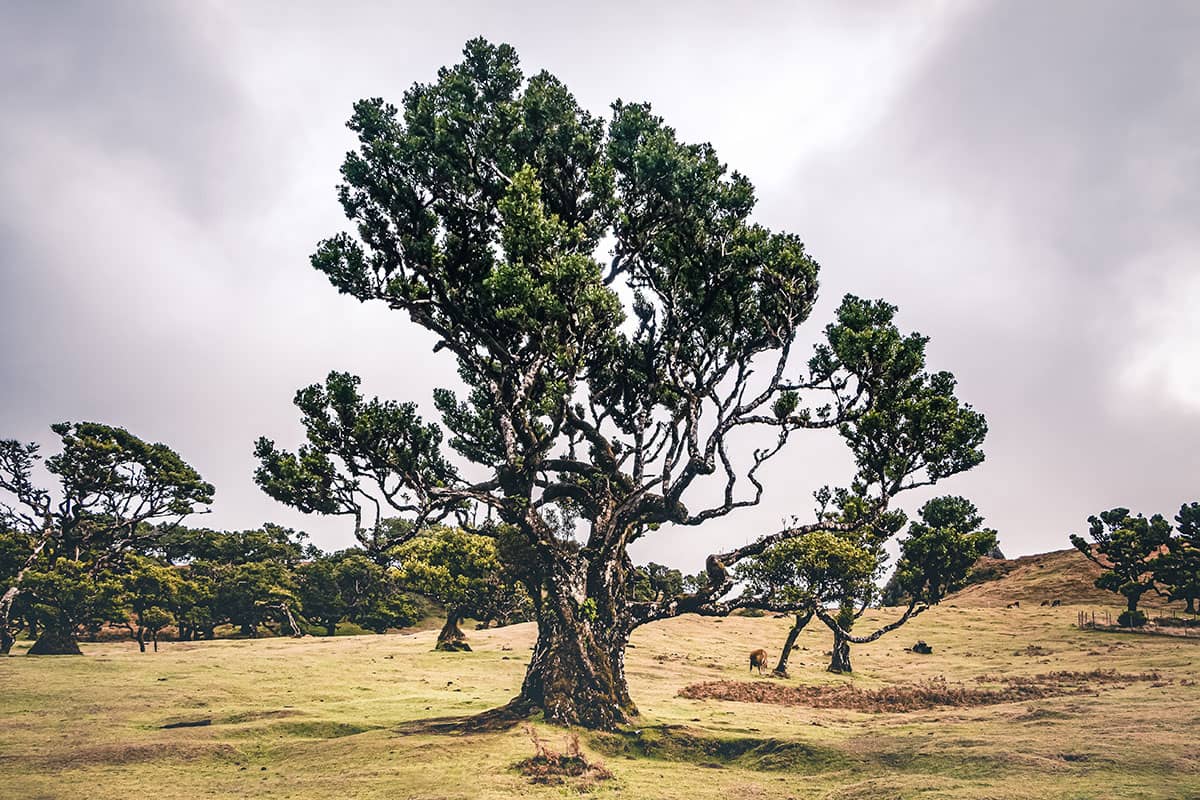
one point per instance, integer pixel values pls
(194, 584)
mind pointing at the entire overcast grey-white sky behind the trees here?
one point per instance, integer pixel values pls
(1023, 179)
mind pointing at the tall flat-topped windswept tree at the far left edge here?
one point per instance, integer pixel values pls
(112, 486)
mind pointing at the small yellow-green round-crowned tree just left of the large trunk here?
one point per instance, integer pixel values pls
(454, 568)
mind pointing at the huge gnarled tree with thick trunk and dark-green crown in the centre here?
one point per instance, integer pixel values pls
(626, 396)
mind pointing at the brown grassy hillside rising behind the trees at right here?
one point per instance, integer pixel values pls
(1061, 575)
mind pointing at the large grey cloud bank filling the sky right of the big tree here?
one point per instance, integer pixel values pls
(1015, 201)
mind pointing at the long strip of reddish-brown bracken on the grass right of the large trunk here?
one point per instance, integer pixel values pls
(989, 690)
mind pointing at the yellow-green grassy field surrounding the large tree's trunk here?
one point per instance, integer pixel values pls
(345, 718)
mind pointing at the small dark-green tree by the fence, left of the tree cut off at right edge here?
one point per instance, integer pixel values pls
(1129, 549)
